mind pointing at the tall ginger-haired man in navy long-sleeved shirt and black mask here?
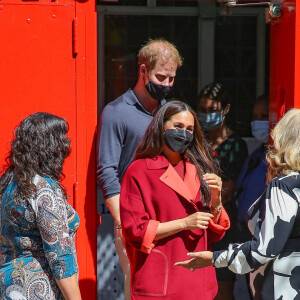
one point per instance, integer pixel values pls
(123, 123)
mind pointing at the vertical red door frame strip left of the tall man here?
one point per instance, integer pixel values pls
(86, 197)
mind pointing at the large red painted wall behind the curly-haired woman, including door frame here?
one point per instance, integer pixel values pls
(40, 72)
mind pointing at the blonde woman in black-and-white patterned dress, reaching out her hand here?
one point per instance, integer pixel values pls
(273, 254)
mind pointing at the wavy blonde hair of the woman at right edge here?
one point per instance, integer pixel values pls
(284, 155)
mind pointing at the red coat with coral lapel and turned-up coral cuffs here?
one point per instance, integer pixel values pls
(153, 192)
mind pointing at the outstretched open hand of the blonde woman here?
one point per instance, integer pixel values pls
(199, 260)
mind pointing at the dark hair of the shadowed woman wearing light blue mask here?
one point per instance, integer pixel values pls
(215, 91)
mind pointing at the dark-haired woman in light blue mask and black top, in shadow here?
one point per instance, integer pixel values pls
(230, 151)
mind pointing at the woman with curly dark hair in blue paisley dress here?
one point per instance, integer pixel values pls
(37, 225)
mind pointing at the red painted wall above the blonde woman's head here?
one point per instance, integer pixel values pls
(284, 62)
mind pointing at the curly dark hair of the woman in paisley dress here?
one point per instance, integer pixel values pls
(40, 146)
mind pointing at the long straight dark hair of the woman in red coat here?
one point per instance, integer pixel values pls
(198, 151)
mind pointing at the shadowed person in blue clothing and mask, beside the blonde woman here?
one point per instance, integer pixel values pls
(253, 174)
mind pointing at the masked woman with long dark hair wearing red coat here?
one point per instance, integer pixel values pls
(171, 204)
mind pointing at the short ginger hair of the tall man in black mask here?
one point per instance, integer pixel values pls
(158, 49)
